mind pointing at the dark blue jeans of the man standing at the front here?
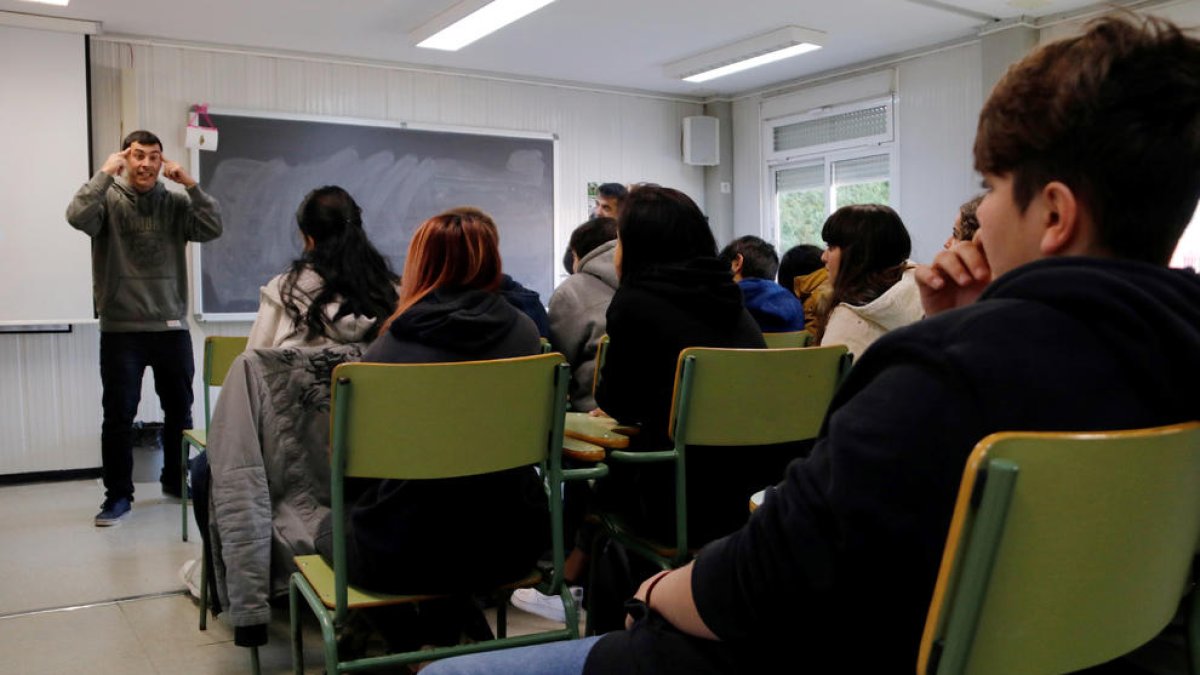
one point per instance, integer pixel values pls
(124, 359)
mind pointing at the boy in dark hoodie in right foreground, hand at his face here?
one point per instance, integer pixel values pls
(1061, 315)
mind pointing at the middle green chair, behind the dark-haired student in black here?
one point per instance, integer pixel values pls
(733, 398)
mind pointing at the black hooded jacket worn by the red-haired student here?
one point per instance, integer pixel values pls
(430, 536)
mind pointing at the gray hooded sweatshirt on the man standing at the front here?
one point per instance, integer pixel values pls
(139, 242)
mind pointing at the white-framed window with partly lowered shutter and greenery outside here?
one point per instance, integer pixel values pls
(824, 160)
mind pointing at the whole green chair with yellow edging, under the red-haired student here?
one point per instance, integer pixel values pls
(437, 421)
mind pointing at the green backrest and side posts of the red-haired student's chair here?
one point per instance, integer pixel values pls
(447, 421)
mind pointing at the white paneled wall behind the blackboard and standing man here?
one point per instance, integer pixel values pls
(50, 409)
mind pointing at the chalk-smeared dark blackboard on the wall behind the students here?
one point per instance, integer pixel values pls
(399, 175)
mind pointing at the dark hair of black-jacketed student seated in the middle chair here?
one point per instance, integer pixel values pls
(661, 226)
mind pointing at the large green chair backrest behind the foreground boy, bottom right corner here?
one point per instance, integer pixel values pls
(1065, 551)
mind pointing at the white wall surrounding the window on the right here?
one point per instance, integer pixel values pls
(938, 103)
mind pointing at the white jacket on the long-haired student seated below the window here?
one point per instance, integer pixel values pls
(860, 326)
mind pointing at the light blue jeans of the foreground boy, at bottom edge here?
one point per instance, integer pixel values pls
(566, 658)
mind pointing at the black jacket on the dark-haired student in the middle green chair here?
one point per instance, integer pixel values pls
(652, 318)
